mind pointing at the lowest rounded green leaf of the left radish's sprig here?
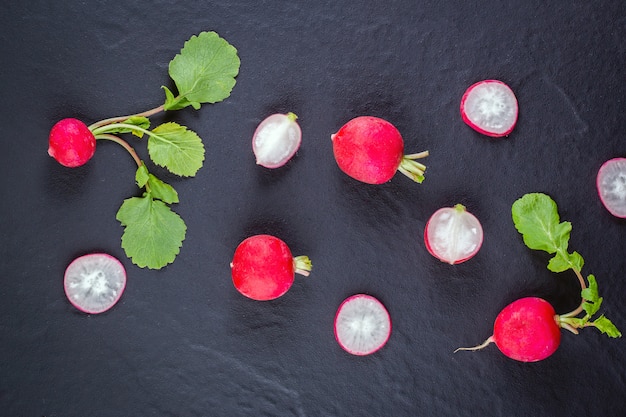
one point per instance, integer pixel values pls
(153, 233)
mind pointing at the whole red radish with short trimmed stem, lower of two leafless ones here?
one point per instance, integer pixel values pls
(264, 269)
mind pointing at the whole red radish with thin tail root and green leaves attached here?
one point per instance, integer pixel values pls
(528, 329)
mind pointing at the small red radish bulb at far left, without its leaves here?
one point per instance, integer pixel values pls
(71, 143)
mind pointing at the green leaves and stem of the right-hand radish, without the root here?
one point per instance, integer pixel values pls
(536, 217)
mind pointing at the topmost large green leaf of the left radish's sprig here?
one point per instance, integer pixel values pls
(204, 72)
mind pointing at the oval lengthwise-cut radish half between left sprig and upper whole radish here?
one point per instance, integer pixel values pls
(276, 140)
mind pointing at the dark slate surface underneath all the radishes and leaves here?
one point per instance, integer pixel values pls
(182, 341)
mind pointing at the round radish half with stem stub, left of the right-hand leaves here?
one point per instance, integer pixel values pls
(453, 234)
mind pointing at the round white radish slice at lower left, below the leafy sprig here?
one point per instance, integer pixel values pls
(94, 283)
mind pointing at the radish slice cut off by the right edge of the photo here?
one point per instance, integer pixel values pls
(611, 184)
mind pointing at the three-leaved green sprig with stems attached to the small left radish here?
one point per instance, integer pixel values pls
(204, 72)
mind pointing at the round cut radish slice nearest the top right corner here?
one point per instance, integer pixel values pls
(490, 107)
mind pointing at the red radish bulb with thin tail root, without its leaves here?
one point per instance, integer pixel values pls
(526, 330)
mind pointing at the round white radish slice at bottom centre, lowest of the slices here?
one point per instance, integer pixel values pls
(362, 325)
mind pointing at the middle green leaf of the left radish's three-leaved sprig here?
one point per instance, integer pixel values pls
(176, 148)
